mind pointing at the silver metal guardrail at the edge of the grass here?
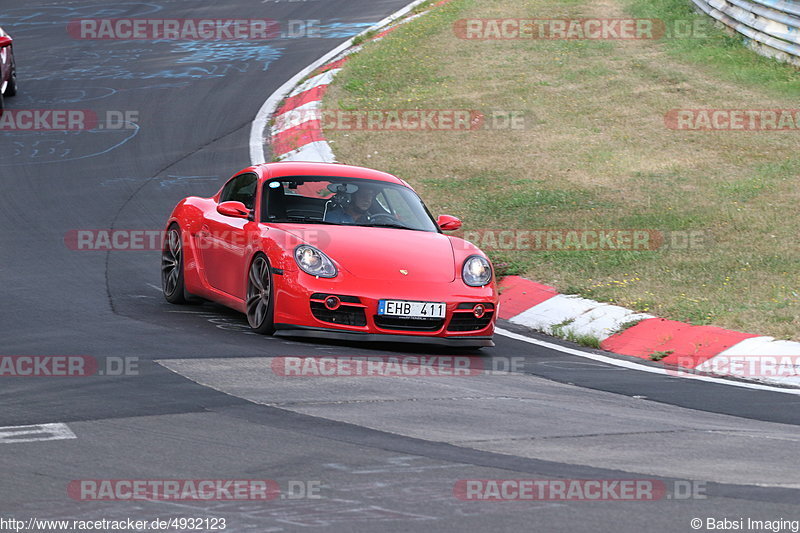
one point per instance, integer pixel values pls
(770, 27)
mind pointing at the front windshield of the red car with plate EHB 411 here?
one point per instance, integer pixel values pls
(344, 201)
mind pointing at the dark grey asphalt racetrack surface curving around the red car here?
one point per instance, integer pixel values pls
(204, 402)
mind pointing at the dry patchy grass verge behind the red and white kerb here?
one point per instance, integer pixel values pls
(595, 154)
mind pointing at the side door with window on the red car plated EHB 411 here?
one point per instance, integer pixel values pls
(224, 239)
